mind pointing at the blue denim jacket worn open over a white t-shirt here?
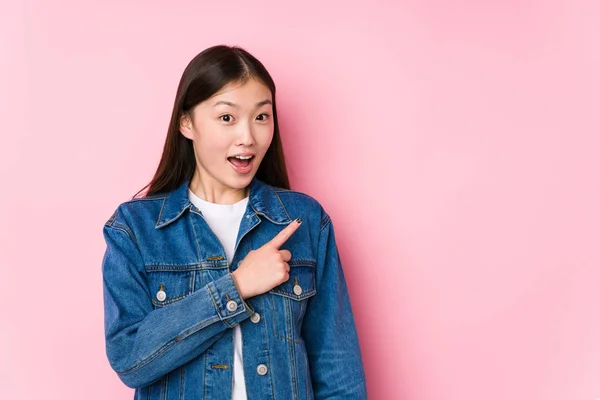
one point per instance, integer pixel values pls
(170, 302)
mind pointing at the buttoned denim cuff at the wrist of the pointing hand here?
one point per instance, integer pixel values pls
(230, 306)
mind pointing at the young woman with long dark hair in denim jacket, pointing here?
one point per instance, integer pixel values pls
(221, 282)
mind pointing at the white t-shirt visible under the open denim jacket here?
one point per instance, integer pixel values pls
(224, 220)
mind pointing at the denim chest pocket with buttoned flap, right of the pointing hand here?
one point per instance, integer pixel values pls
(288, 300)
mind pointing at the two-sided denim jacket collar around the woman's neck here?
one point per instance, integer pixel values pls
(262, 198)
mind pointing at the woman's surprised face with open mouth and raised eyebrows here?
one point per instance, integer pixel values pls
(238, 120)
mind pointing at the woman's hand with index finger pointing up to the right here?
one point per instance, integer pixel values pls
(264, 268)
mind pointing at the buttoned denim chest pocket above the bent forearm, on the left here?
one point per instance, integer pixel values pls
(169, 284)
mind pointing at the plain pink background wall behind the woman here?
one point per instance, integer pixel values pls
(455, 145)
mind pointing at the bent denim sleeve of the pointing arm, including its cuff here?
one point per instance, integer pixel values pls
(143, 344)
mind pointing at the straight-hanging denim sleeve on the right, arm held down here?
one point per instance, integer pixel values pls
(329, 330)
